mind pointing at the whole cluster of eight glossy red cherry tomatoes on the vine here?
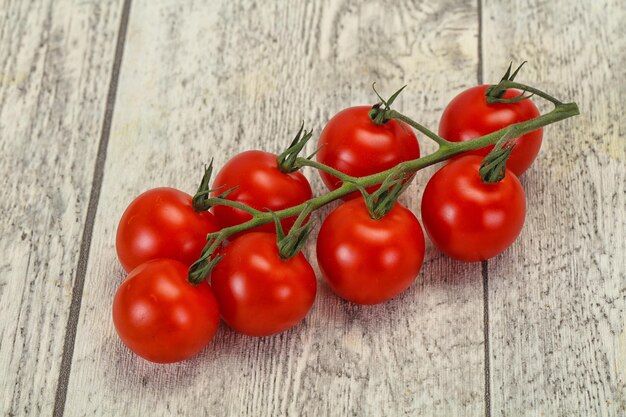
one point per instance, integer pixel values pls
(366, 256)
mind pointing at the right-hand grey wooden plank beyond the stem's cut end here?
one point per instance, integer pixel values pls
(557, 299)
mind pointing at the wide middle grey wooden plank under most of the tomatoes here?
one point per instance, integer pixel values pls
(201, 81)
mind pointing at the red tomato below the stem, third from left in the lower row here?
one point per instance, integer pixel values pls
(369, 261)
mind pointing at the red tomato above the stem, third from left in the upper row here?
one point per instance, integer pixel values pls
(353, 144)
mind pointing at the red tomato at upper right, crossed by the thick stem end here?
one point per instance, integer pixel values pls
(468, 116)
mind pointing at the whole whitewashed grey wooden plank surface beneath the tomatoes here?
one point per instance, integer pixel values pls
(101, 100)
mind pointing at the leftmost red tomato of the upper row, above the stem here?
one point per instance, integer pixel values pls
(161, 223)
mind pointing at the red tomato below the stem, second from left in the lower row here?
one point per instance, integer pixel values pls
(258, 292)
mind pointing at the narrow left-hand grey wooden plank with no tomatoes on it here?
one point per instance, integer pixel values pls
(55, 60)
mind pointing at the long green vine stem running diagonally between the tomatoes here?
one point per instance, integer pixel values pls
(200, 269)
